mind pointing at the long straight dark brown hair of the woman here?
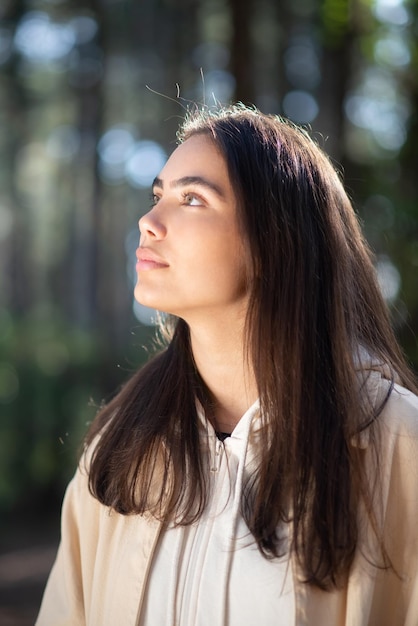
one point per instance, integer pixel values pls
(315, 310)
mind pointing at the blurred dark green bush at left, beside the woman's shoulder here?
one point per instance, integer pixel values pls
(49, 382)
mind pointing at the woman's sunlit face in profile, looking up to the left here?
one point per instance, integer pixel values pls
(192, 259)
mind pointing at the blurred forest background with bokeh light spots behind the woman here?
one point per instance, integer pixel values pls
(81, 138)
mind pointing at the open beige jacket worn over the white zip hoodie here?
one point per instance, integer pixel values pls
(103, 561)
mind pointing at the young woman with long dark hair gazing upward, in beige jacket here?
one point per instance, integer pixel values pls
(263, 467)
